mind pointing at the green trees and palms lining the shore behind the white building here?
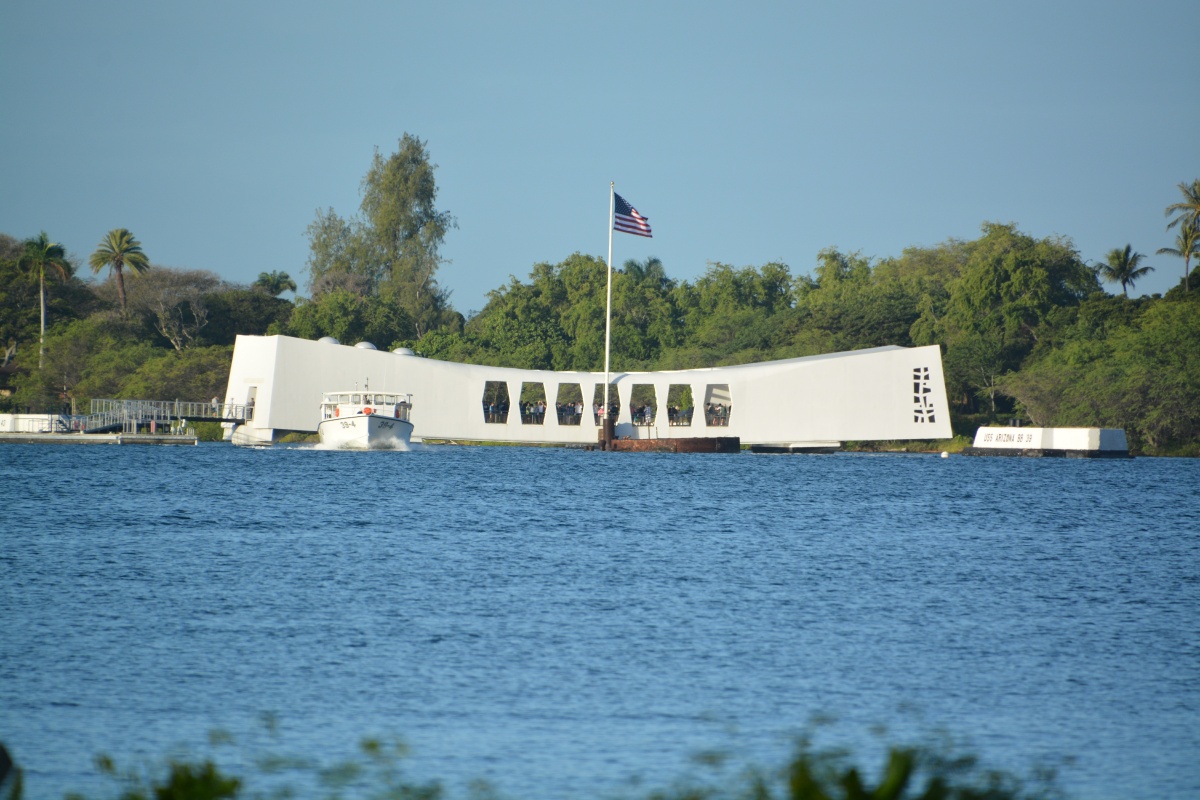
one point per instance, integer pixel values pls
(1028, 332)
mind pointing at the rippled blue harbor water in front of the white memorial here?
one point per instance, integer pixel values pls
(565, 624)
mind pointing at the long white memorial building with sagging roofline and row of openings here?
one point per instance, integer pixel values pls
(883, 394)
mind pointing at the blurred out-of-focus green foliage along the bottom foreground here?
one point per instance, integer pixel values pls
(935, 769)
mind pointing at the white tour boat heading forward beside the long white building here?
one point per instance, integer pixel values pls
(365, 420)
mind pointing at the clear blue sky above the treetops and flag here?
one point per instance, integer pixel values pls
(747, 133)
